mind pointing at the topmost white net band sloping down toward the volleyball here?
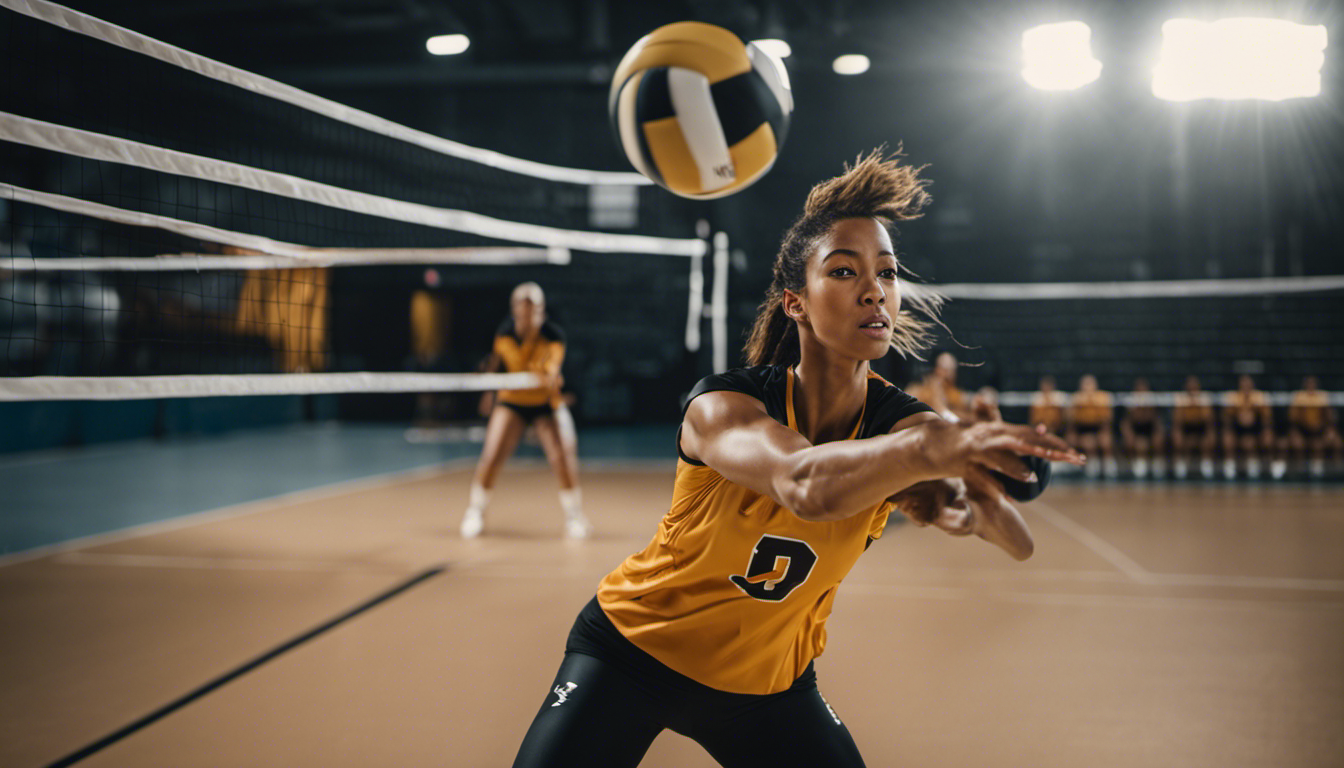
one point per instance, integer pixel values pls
(100, 30)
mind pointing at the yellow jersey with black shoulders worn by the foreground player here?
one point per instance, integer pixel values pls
(734, 590)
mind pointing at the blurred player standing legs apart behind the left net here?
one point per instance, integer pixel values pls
(528, 342)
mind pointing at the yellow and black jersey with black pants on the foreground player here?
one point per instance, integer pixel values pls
(712, 630)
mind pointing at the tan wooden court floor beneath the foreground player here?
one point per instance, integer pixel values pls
(1162, 626)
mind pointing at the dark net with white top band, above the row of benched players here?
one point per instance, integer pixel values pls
(1279, 330)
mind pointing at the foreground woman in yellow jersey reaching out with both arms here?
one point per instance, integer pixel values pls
(787, 474)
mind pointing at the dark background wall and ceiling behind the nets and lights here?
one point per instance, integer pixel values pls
(1104, 184)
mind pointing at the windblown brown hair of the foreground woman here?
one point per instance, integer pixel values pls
(874, 188)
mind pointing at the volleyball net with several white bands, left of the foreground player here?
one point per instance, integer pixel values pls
(174, 227)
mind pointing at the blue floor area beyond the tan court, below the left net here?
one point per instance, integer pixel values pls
(52, 497)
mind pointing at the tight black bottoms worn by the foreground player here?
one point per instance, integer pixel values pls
(611, 700)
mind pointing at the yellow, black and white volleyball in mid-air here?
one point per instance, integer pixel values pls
(698, 111)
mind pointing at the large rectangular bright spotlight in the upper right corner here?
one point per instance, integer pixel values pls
(1240, 59)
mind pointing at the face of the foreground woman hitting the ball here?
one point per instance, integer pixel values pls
(851, 295)
